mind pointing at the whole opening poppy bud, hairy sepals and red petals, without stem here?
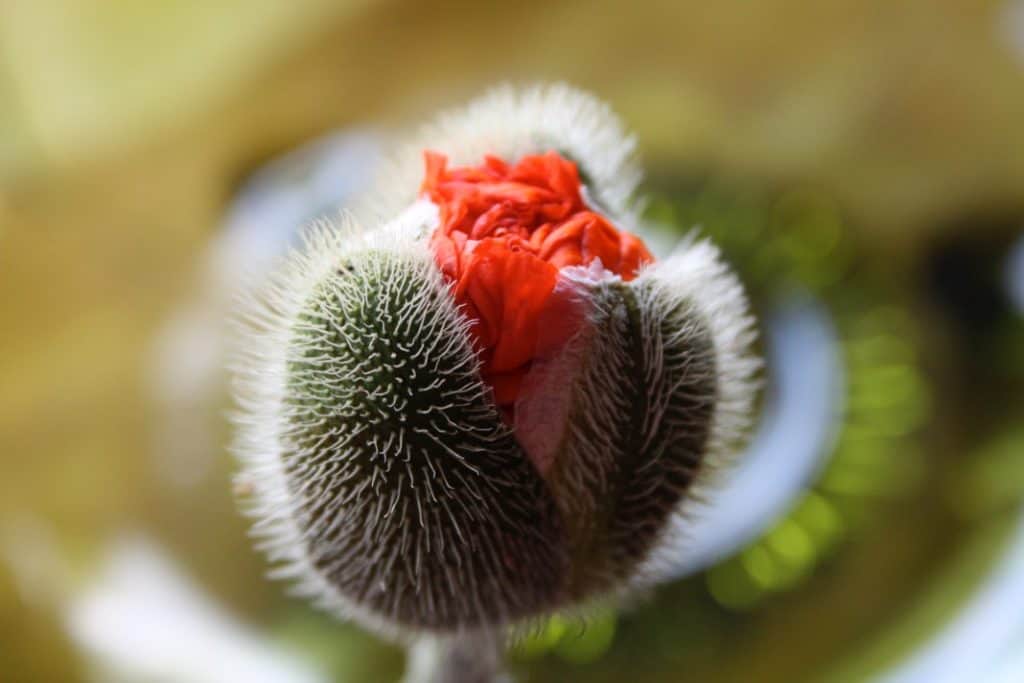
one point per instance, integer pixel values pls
(492, 403)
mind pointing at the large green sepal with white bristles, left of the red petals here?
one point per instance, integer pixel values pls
(386, 482)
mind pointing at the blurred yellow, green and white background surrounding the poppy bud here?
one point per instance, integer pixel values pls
(862, 163)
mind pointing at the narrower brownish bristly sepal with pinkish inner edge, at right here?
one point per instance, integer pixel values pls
(629, 421)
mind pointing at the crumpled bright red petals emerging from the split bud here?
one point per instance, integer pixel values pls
(506, 231)
